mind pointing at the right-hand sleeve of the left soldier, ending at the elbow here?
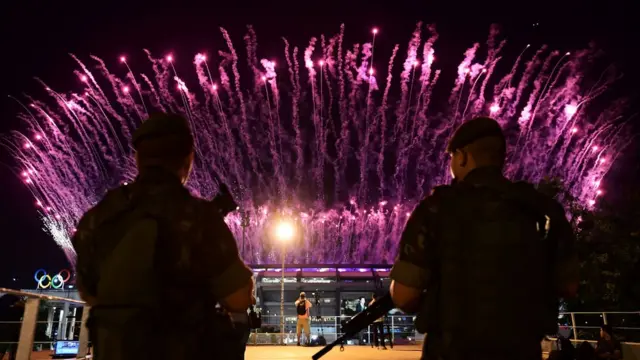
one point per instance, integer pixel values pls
(216, 254)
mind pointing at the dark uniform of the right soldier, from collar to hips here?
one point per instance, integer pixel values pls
(482, 301)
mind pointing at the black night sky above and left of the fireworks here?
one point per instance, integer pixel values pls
(37, 36)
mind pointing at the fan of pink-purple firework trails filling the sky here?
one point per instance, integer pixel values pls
(335, 152)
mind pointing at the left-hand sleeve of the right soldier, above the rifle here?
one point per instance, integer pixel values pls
(411, 267)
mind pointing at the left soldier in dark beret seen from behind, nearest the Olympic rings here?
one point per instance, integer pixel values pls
(154, 262)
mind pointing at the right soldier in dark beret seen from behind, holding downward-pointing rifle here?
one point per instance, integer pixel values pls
(483, 261)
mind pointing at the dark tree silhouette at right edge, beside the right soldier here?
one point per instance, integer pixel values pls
(608, 246)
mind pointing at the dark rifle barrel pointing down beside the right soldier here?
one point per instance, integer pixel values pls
(379, 308)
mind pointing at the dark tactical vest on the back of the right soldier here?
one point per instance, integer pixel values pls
(492, 272)
